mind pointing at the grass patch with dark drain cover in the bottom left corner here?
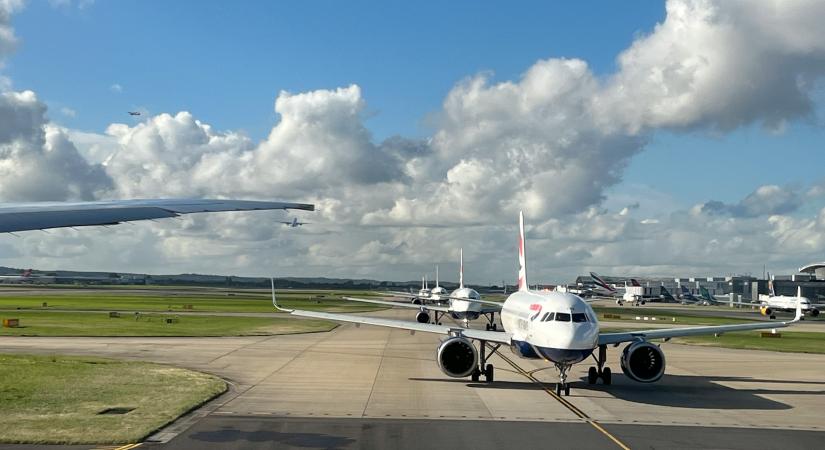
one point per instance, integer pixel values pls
(59, 399)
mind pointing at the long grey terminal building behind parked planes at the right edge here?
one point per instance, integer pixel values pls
(811, 278)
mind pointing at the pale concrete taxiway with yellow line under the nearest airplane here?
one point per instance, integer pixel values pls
(370, 386)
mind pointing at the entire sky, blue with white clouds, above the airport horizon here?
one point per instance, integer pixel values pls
(650, 138)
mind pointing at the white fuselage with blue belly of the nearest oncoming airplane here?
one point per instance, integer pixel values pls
(559, 327)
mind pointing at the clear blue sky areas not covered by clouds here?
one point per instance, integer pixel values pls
(226, 63)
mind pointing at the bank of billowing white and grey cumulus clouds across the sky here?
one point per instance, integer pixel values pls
(554, 142)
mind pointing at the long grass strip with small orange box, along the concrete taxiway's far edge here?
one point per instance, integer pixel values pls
(50, 323)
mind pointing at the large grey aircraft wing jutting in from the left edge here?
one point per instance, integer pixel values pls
(42, 215)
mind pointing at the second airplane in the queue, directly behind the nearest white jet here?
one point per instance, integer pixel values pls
(461, 305)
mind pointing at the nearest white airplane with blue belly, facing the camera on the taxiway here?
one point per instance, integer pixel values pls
(560, 328)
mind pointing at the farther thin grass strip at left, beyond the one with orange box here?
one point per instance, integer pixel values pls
(208, 301)
